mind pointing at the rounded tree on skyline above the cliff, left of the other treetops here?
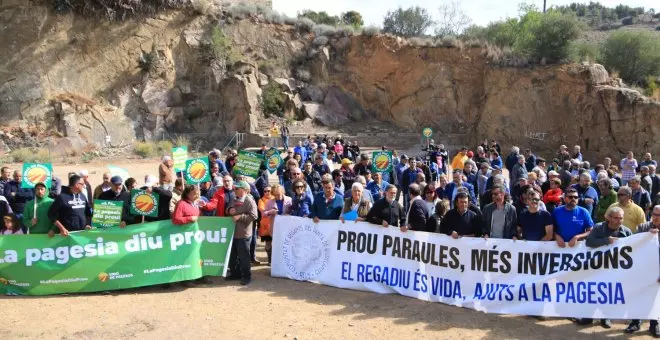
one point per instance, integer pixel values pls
(414, 21)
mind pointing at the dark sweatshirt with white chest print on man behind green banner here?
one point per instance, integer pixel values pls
(72, 210)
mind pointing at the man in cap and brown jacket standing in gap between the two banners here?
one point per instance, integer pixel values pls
(243, 211)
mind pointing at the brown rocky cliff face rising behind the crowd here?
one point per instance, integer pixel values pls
(77, 78)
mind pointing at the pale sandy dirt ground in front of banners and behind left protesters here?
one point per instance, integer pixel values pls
(269, 308)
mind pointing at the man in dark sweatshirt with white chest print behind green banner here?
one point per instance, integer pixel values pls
(71, 211)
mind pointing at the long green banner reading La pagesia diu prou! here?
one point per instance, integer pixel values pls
(101, 260)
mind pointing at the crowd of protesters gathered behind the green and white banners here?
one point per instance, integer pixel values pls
(564, 200)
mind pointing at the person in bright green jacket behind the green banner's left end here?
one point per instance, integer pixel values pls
(39, 223)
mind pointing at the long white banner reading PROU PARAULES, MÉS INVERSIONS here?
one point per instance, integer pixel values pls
(618, 281)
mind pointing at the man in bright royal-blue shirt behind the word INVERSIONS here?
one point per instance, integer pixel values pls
(573, 223)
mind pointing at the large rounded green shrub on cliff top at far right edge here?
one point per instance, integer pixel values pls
(634, 54)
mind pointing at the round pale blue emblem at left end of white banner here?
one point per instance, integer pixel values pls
(306, 252)
